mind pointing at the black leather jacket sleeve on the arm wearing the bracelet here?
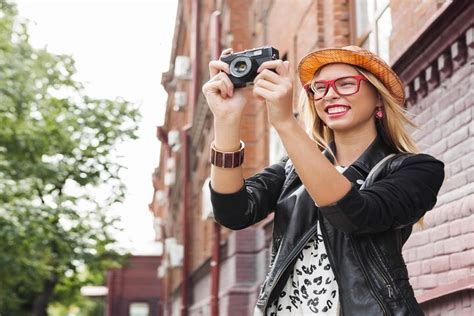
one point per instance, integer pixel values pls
(255, 200)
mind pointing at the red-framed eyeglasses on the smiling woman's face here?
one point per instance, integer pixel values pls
(344, 86)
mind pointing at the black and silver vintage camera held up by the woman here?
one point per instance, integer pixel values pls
(243, 65)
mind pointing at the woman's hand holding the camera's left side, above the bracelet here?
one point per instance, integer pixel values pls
(225, 103)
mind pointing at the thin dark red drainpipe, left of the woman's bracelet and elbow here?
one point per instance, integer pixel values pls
(185, 179)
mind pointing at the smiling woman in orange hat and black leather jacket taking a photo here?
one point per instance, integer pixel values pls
(336, 249)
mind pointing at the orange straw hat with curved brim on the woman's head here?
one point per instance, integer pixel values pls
(352, 55)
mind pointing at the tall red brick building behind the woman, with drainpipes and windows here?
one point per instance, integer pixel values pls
(431, 46)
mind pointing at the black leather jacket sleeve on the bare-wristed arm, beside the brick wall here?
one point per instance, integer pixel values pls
(399, 199)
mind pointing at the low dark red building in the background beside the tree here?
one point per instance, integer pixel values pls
(134, 289)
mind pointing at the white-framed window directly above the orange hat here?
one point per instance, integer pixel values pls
(373, 24)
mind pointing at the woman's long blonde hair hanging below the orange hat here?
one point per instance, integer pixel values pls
(391, 126)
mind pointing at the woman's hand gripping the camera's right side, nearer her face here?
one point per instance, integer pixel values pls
(276, 88)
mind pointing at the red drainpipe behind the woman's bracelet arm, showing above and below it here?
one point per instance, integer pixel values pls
(215, 260)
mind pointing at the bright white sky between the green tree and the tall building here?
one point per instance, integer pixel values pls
(121, 49)
